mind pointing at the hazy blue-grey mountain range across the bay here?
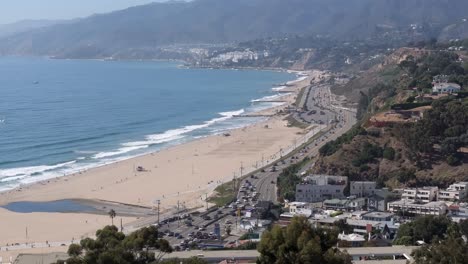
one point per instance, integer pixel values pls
(222, 21)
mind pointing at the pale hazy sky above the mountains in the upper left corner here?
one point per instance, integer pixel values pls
(14, 10)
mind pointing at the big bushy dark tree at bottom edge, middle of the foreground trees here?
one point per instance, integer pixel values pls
(300, 243)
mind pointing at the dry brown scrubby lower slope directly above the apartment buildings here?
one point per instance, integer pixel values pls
(402, 170)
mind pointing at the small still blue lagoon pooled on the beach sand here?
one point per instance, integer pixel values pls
(62, 206)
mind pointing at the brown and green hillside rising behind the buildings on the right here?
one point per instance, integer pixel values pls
(422, 145)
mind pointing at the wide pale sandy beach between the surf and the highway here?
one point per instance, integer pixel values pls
(186, 174)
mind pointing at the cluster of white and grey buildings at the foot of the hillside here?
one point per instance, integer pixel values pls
(326, 199)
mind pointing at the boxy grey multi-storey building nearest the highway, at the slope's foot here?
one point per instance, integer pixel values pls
(318, 188)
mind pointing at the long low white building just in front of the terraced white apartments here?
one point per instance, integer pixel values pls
(418, 208)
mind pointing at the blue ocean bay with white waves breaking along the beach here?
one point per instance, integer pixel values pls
(61, 116)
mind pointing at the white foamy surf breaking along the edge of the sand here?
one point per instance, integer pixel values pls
(65, 168)
